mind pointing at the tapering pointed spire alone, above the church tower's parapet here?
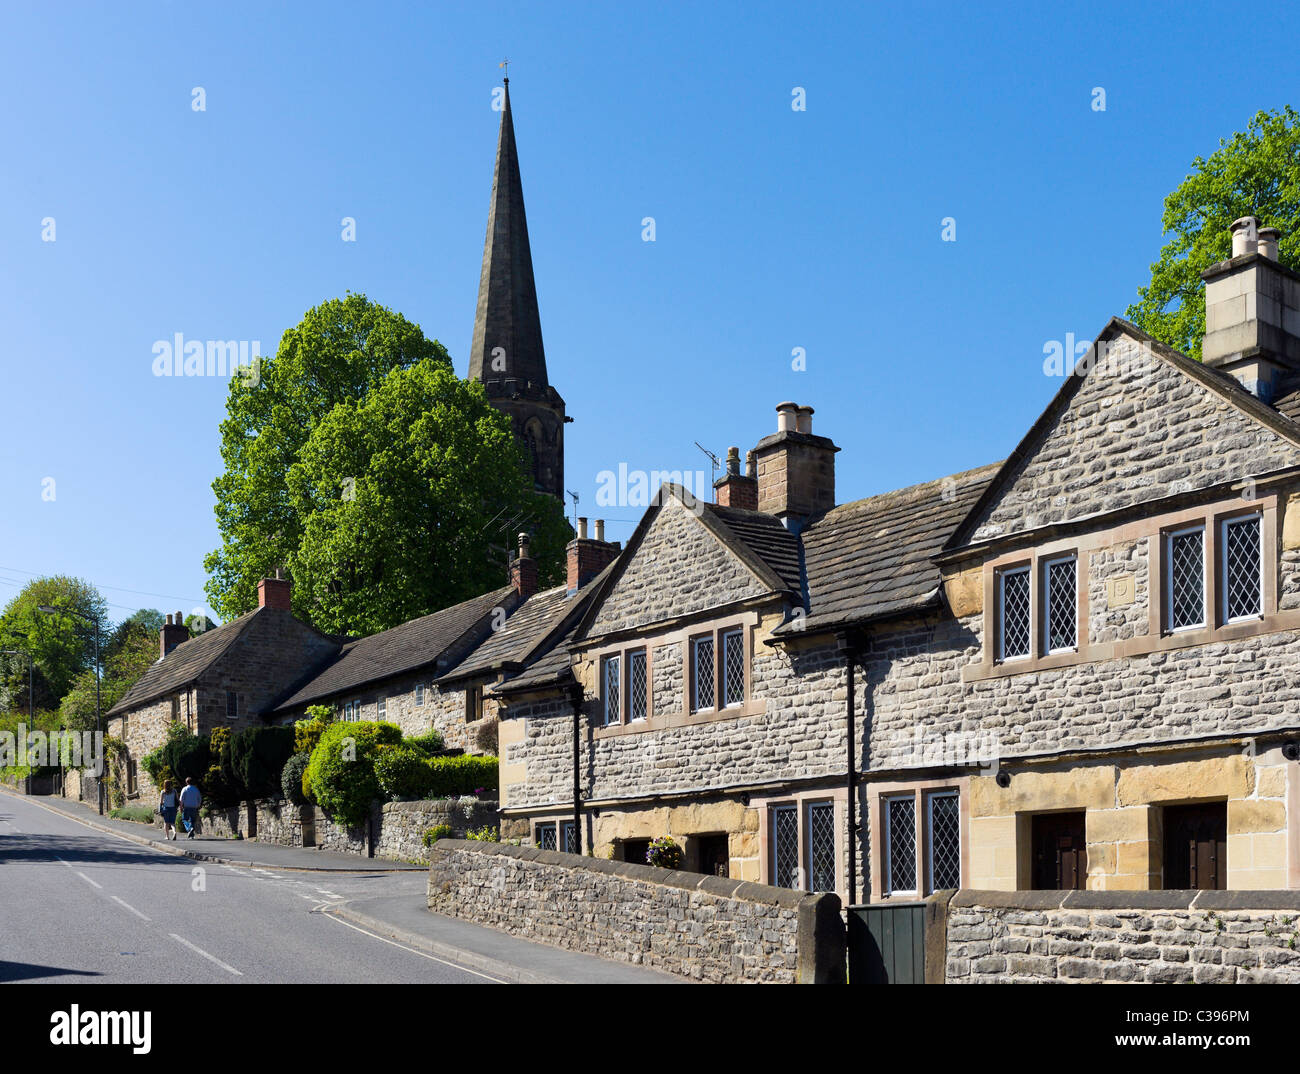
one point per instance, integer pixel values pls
(508, 343)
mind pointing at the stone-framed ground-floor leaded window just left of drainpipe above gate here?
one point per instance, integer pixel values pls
(803, 839)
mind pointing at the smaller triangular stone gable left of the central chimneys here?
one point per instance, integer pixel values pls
(681, 569)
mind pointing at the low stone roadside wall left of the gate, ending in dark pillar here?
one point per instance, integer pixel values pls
(703, 928)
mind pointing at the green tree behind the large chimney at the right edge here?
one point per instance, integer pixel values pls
(1255, 174)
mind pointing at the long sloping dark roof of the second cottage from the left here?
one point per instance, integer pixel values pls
(405, 648)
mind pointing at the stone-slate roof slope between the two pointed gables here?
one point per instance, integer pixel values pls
(872, 558)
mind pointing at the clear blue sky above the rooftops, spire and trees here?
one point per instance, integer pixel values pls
(775, 229)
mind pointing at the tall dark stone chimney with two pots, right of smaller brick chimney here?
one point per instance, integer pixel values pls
(796, 469)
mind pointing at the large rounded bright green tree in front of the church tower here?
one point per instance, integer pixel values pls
(359, 461)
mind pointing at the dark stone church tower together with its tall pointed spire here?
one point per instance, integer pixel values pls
(508, 352)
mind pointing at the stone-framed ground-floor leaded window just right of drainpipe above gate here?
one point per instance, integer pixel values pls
(920, 834)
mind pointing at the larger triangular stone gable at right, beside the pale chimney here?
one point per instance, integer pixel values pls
(1137, 431)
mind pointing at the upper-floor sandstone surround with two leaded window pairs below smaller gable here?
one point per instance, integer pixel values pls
(729, 695)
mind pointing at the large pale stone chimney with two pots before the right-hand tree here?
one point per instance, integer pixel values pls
(1253, 313)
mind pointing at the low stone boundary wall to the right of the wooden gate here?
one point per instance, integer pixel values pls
(1159, 937)
